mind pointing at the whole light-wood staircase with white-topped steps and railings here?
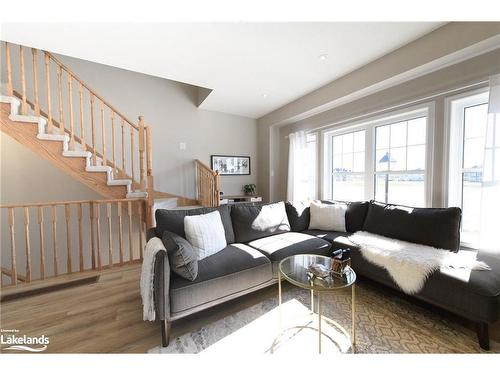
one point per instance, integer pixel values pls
(47, 108)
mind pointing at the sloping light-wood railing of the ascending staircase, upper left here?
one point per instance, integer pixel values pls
(71, 107)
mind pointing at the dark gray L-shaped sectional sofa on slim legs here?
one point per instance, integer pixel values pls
(250, 260)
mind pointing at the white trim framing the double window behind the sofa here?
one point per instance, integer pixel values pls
(369, 125)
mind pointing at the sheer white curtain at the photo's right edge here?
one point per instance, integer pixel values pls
(489, 237)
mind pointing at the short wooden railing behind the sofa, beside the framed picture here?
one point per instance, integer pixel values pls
(207, 185)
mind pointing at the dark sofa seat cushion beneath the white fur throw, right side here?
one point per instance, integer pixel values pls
(476, 297)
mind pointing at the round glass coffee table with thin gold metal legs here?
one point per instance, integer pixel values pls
(294, 269)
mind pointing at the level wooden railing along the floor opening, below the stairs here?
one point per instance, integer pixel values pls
(43, 240)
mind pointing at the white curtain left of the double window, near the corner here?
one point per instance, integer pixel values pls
(301, 161)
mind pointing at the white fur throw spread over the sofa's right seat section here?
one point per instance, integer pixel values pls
(410, 264)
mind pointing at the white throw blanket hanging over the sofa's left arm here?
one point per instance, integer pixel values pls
(147, 277)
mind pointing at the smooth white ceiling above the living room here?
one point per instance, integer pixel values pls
(251, 68)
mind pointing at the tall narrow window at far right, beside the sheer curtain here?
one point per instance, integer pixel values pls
(467, 152)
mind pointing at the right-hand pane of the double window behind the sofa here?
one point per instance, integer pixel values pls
(400, 162)
